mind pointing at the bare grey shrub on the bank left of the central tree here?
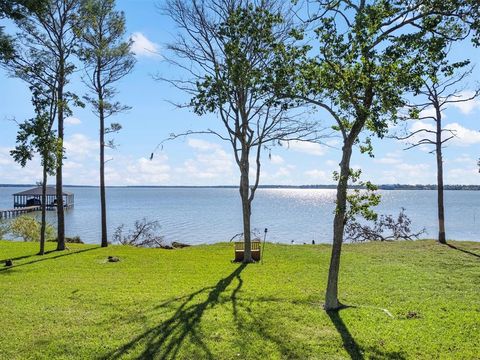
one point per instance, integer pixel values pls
(143, 235)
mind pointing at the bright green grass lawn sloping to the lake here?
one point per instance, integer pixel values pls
(193, 303)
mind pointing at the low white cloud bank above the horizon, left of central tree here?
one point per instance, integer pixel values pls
(209, 163)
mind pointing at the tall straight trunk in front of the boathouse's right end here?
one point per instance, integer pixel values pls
(59, 177)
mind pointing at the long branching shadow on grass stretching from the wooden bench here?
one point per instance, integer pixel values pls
(165, 340)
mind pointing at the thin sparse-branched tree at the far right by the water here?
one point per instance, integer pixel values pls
(440, 89)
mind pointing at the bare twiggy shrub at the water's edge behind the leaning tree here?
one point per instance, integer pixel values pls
(385, 227)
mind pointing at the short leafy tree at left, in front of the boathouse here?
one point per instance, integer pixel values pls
(35, 136)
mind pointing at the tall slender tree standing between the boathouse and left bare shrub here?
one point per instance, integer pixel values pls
(108, 59)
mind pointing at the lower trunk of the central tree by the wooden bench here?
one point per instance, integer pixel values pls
(246, 208)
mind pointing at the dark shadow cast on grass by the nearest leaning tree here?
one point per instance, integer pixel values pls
(352, 347)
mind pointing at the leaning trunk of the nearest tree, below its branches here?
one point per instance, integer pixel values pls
(331, 296)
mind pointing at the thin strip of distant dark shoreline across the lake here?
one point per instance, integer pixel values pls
(331, 187)
